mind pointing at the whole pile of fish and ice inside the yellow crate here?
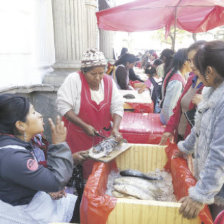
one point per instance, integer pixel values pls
(137, 185)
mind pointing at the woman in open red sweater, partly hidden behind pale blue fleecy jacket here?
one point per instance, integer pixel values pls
(178, 127)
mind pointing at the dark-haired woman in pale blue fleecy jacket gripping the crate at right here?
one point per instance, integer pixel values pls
(206, 139)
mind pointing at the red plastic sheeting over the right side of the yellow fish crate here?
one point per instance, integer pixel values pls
(183, 179)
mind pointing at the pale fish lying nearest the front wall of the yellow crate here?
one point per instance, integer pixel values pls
(133, 191)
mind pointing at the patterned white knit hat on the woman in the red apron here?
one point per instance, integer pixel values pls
(92, 58)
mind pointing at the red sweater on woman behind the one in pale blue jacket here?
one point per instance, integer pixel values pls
(172, 124)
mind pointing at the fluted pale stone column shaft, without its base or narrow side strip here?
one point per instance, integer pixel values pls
(69, 32)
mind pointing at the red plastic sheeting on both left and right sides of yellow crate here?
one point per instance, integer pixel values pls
(96, 205)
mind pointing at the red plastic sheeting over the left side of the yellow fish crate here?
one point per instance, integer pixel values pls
(96, 205)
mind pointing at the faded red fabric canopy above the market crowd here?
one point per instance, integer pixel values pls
(142, 15)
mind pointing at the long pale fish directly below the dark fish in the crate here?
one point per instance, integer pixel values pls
(139, 183)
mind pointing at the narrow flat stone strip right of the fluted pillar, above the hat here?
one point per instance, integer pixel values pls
(91, 23)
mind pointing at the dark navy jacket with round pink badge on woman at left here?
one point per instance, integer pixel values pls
(21, 176)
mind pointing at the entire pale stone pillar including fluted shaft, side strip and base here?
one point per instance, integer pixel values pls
(75, 30)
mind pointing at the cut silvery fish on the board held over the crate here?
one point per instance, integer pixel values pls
(105, 147)
